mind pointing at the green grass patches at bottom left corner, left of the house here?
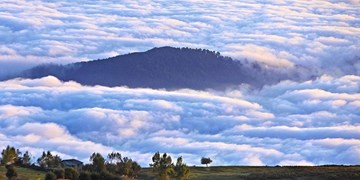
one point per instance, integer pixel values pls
(24, 173)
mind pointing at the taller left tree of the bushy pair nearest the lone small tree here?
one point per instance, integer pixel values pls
(162, 165)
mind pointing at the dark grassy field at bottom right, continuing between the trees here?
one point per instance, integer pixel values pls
(243, 172)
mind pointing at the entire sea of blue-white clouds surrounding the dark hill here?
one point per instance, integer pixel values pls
(290, 123)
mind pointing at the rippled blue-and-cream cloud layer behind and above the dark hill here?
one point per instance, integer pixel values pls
(281, 33)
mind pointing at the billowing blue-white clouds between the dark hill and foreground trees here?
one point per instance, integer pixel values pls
(309, 123)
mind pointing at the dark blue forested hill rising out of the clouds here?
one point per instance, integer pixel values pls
(164, 67)
